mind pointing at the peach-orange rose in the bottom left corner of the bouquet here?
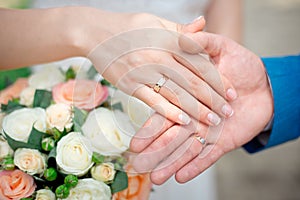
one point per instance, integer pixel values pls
(15, 185)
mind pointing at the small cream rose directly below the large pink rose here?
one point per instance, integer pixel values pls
(59, 116)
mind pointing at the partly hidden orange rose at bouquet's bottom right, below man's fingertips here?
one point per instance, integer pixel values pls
(139, 187)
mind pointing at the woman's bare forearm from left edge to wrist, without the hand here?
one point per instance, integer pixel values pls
(42, 35)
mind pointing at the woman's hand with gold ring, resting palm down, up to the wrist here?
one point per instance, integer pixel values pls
(137, 51)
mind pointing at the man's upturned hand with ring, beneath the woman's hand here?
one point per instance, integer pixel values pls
(167, 149)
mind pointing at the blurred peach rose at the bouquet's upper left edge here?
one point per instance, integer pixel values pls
(13, 91)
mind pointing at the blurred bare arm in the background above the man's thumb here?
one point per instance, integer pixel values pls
(225, 18)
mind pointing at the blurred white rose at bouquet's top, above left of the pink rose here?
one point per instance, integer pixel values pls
(46, 78)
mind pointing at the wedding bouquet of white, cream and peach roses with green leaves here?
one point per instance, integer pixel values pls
(65, 135)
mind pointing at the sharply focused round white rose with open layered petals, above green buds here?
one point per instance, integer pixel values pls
(74, 154)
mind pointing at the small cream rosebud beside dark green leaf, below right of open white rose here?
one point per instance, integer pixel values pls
(104, 172)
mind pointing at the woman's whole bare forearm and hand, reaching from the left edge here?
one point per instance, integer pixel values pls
(45, 35)
